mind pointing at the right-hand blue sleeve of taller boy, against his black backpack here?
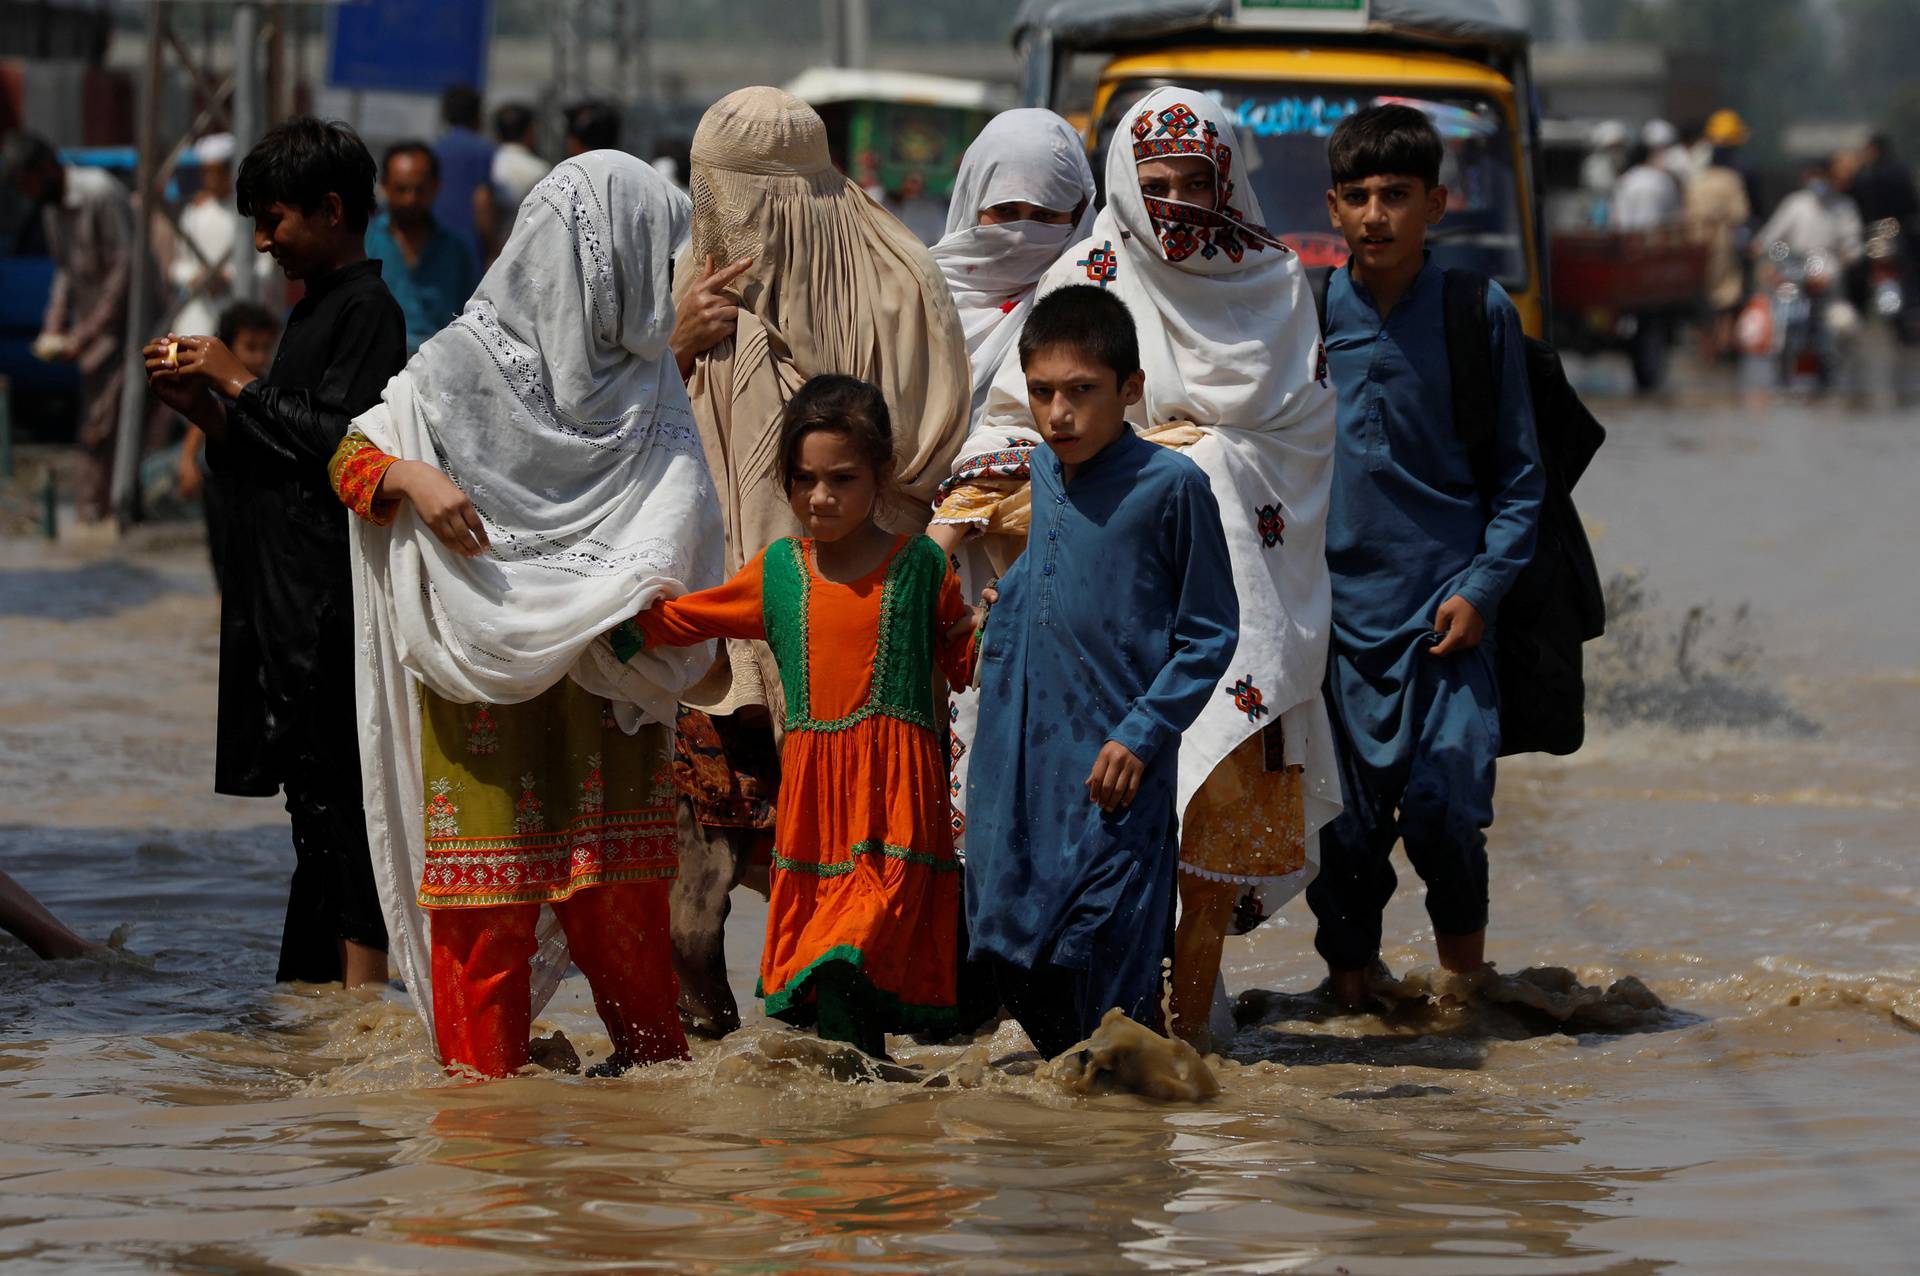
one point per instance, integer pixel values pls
(1520, 481)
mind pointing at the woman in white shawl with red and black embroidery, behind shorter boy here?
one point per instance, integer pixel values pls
(1236, 377)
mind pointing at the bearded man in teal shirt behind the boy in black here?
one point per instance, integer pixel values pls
(425, 266)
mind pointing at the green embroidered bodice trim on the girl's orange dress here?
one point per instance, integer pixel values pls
(903, 657)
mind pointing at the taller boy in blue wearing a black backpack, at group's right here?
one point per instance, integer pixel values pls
(1420, 561)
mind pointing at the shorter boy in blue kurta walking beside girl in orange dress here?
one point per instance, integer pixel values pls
(1109, 636)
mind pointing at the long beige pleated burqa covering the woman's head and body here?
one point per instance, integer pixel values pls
(836, 287)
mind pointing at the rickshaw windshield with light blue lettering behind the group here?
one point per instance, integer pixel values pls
(1287, 126)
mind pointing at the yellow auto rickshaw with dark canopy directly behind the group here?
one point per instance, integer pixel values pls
(1289, 72)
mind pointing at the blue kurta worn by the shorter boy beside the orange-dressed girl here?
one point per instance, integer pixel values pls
(1116, 625)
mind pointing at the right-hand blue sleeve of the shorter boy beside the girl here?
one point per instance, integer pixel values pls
(1207, 626)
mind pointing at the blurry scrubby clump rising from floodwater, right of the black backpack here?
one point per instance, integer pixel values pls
(1694, 674)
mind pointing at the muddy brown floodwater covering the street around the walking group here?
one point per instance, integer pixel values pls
(1716, 1072)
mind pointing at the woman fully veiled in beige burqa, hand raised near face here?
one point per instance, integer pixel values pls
(792, 272)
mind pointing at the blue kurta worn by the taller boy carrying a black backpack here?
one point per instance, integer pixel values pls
(1408, 529)
